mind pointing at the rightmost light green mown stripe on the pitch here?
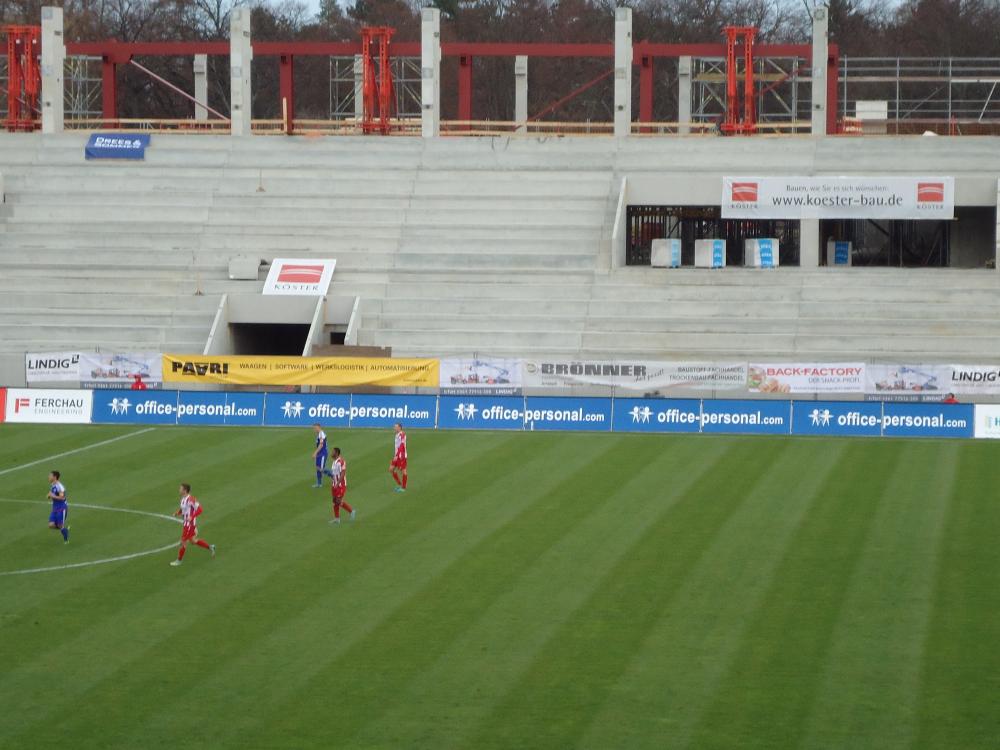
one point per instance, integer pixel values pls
(870, 682)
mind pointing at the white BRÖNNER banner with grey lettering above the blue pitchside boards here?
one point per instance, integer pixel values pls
(640, 375)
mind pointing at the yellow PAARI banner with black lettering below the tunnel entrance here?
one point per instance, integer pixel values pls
(334, 371)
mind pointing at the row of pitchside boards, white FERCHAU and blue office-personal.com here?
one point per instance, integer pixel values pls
(472, 412)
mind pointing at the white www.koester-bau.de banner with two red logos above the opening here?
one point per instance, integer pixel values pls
(838, 197)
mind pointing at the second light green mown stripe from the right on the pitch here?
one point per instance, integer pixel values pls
(671, 681)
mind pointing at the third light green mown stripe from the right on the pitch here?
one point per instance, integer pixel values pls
(480, 666)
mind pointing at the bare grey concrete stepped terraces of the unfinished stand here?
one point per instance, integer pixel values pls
(454, 246)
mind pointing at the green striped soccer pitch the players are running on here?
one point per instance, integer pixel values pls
(530, 590)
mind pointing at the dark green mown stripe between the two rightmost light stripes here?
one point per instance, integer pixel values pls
(764, 698)
